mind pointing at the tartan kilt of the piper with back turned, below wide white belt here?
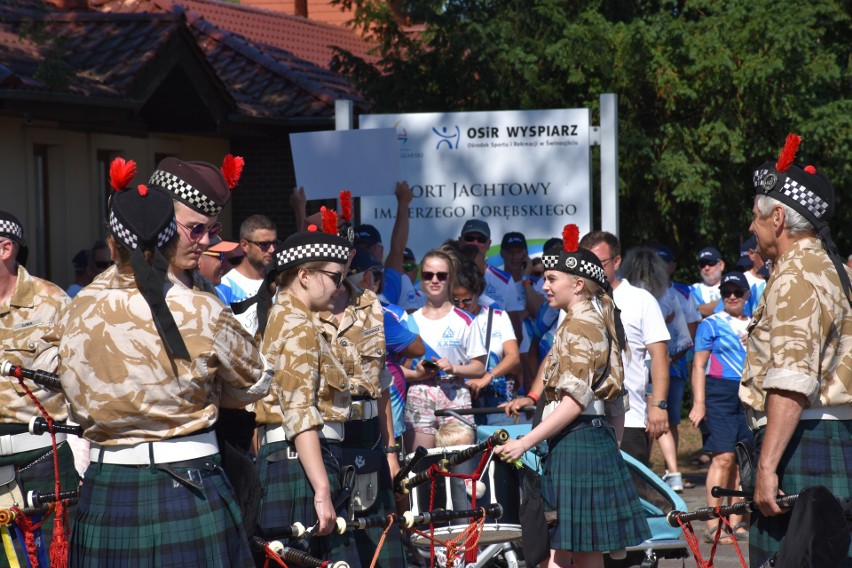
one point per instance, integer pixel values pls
(142, 517)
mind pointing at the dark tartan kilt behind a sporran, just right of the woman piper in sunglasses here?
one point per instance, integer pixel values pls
(364, 435)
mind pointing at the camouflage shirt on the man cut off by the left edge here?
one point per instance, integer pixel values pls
(32, 311)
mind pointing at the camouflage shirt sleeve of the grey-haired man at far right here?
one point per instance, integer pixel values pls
(795, 337)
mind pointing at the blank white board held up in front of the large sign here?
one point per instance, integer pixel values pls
(365, 162)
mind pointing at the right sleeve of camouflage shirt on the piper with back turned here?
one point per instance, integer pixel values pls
(242, 371)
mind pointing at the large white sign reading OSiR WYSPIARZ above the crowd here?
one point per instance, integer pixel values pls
(527, 171)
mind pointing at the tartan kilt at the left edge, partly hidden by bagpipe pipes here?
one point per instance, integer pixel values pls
(35, 473)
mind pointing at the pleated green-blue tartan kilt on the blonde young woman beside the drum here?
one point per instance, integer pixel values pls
(586, 481)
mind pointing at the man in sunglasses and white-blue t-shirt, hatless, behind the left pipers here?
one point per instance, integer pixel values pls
(239, 287)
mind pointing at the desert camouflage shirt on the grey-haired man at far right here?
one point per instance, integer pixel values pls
(800, 336)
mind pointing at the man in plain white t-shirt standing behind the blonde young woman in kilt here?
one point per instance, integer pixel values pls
(647, 337)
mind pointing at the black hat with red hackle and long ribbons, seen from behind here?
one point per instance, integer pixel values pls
(143, 219)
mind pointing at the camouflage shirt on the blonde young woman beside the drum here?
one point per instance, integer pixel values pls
(578, 358)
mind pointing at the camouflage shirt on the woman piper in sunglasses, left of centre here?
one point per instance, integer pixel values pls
(310, 386)
